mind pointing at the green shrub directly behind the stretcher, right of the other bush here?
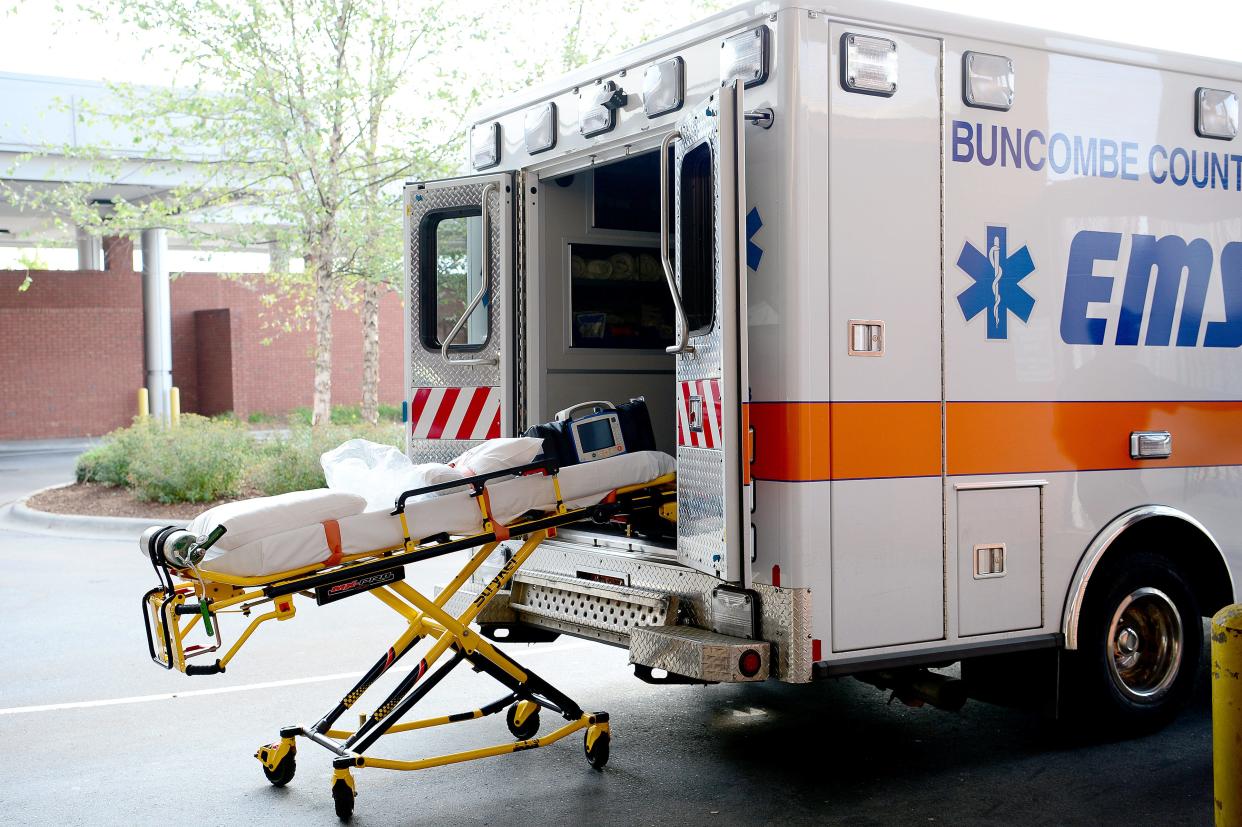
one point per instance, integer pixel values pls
(292, 463)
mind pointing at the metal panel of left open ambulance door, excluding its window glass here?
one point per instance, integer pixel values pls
(449, 383)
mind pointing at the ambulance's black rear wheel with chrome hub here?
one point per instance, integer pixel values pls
(1141, 644)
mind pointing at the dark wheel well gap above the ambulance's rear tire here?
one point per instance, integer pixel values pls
(1185, 547)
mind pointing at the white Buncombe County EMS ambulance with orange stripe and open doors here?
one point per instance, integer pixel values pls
(957, 323)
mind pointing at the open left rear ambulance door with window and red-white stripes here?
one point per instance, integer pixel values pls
(459, 237)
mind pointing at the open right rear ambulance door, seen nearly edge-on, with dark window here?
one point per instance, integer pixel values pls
(714, 471)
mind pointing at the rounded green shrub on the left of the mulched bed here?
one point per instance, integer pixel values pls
(198, 463)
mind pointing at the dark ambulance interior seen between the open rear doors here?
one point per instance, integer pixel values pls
(607, 311)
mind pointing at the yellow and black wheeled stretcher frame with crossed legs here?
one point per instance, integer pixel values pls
(192, 599)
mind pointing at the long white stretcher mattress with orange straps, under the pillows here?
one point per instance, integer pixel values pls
(453, 513)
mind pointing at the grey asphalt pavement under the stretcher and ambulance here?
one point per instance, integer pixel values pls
(95, 733)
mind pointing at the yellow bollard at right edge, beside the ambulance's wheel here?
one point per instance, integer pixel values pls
(1228, 716)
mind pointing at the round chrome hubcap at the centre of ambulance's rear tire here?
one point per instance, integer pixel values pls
(1145, 645)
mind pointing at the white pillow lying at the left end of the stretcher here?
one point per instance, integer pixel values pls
(252, 520)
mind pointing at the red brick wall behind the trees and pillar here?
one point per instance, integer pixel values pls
(71, 351)
